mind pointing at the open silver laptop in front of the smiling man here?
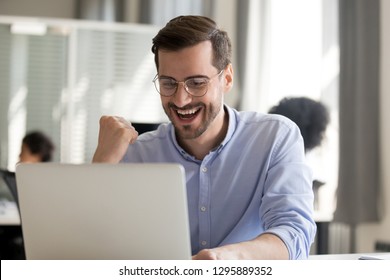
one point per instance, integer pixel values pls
(104, 211)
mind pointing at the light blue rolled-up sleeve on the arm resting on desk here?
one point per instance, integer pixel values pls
(287, 203)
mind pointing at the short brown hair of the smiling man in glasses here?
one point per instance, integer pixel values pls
(187, 31)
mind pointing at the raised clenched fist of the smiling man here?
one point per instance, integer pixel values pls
(115, 134)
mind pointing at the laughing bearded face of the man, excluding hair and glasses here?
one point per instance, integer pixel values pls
(192, 116)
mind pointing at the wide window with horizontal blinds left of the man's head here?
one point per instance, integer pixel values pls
(63, 79)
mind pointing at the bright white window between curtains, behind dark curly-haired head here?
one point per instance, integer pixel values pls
(302, 59)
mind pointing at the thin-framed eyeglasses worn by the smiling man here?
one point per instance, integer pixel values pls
(196, 86)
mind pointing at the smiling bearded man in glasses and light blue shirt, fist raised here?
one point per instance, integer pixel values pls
(248, 186)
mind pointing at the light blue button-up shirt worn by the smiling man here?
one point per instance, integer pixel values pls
(255, 182)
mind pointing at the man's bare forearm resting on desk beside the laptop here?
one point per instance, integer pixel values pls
(265, 246)
